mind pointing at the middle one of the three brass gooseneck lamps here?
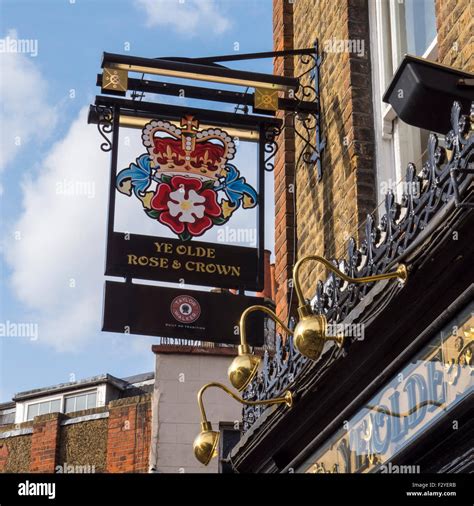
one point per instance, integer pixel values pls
(245, 365)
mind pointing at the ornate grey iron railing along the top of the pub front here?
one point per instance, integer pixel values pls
(444, 178)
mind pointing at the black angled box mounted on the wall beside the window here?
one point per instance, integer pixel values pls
(422, 91)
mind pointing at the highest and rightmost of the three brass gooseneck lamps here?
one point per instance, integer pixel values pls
(310, 335)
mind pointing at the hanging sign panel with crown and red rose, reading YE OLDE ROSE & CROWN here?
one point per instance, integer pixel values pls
(186, 202)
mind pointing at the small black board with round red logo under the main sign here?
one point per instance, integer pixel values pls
(183, 314)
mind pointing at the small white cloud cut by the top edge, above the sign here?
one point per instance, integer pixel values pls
(188, 17)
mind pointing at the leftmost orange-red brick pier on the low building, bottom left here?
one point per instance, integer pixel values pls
(45, 443)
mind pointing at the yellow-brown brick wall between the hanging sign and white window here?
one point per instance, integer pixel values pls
(330, 211)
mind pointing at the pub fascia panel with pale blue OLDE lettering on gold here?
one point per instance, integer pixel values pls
(435, 380)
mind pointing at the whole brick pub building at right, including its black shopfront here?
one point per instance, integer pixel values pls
(388, 196)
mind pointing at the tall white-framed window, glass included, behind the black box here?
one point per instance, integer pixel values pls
(397, 27)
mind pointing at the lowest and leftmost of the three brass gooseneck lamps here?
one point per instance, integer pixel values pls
(205, 443)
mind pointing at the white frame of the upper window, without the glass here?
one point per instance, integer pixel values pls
(395, 142)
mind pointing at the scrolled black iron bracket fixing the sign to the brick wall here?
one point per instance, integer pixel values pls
(308, 124)
